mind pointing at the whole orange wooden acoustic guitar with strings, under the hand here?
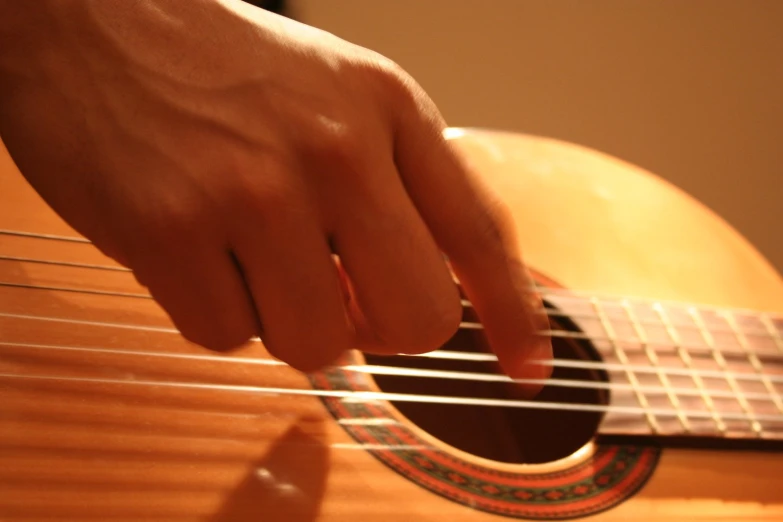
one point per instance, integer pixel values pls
(665, 402)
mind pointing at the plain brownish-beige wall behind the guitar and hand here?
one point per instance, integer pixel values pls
(689, 89)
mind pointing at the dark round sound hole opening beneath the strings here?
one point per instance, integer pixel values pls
(505, 434)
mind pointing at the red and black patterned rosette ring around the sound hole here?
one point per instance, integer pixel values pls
(611, 475)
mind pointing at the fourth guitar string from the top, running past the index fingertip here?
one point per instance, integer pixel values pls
(459, 356)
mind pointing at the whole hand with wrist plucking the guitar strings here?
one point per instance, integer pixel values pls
(261, 177)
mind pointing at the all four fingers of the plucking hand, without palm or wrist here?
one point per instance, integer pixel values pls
(390, 221)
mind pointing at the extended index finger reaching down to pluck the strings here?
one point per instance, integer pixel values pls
(474, 230)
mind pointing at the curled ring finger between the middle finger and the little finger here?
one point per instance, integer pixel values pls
(290, 273)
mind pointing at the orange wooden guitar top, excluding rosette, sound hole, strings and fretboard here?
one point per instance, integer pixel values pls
(88, 451)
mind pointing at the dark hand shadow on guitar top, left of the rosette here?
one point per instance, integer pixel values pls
(288, 484)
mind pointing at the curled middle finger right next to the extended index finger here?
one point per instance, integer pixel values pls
(405, 295)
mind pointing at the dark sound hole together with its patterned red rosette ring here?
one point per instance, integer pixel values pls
(594, 482)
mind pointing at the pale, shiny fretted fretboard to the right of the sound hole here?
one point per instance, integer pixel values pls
(678, 370)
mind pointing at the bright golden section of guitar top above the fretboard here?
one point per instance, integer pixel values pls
(598, 224)
